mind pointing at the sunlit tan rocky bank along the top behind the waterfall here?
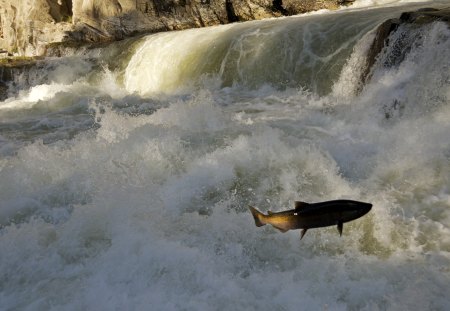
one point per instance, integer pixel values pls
(27, 27)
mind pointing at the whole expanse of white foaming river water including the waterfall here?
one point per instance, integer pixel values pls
(124, 183)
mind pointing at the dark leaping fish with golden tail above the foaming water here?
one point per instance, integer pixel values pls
(313, 215)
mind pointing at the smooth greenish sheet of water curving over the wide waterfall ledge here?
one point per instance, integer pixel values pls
(291, 52)
